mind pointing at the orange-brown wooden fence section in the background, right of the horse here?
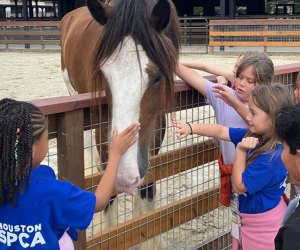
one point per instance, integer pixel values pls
(256, 32)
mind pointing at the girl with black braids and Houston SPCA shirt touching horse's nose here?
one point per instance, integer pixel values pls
(35, 208)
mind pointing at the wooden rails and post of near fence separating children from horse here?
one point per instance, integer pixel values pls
(69, 117)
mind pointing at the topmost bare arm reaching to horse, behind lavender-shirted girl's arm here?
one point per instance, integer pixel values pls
(228, 74)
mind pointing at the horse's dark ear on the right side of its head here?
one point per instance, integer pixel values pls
(160, 15)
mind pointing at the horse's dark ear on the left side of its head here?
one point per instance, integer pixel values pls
(100, 12)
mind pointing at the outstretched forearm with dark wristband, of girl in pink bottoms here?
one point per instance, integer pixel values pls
(217, 131)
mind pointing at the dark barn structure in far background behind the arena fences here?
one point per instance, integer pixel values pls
(213, 9)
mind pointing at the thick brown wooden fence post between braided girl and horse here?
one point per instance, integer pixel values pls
(70, 154)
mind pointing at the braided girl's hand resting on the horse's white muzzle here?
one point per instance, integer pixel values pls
(121, 142)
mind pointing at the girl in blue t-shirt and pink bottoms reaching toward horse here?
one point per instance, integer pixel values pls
(259, 175)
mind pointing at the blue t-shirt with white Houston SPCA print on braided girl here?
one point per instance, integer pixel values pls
(44, 211)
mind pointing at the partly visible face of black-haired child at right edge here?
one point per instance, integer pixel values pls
(292, 164)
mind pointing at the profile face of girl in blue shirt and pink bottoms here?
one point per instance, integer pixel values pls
(260, 122)
